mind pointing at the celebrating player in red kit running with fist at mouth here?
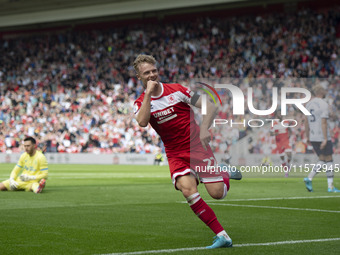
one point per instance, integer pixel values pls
(166, 107)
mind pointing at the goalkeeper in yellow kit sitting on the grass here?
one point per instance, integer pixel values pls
(33, 165)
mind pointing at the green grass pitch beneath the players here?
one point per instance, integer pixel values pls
(97, 209)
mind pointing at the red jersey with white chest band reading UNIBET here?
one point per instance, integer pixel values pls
(172, 118)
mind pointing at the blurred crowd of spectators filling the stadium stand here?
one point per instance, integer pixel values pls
(74, 90)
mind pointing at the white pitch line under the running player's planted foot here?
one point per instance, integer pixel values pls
(236, 245)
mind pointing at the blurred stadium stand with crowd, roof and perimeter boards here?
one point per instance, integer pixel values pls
(66, 73)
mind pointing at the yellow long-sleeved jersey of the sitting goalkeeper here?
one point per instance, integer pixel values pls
(35, 165)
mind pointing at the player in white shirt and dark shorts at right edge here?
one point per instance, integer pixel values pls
(317, 132)
